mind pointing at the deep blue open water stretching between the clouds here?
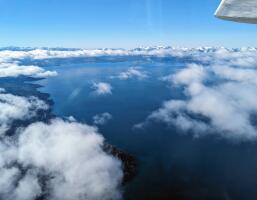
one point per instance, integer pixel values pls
(172, 165)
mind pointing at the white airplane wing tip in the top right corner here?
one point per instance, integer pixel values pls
(244, 11)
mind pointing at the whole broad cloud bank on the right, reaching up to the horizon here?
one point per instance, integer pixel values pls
(219, 96)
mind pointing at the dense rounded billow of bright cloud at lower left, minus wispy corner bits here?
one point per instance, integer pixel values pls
(74, 158)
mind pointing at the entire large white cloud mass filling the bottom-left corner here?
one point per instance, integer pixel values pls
(72, 164)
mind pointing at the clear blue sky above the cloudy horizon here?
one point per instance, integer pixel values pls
(119, 23)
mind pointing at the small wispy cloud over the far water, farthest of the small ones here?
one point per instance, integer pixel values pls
(132, 72)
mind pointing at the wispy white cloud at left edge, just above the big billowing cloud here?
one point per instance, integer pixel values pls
(14, 107)
